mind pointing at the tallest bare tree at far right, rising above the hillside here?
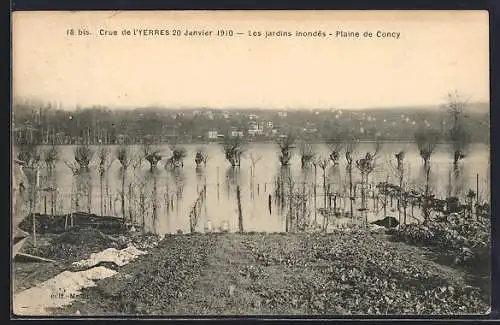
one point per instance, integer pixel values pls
(458, 135)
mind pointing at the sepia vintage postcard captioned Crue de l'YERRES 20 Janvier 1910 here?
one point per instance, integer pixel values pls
(250, 163)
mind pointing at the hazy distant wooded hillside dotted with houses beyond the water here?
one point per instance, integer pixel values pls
(48, 124)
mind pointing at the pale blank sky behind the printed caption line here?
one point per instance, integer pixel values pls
(435, 54)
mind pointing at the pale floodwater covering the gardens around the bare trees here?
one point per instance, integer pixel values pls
(179, 192)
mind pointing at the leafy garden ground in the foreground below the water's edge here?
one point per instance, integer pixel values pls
(284, 274)
